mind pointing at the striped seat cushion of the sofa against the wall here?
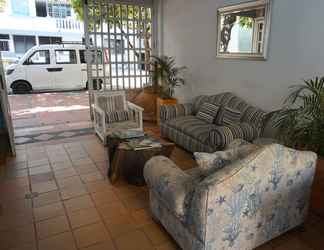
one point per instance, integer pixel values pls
(193, 127)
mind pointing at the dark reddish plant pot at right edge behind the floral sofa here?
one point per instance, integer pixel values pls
(317, 198)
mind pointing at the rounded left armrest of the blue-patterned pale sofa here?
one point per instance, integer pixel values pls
(169, 183)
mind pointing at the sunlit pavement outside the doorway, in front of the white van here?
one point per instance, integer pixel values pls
(47, 116)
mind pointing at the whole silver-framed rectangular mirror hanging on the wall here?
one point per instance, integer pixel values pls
(243, 30)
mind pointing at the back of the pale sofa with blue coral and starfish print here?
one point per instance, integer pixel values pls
(270, 186)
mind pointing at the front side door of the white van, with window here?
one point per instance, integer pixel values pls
(38, 70)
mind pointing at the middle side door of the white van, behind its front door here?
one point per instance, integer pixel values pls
(69, 77)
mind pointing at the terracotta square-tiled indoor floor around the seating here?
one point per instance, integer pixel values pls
(55, 196)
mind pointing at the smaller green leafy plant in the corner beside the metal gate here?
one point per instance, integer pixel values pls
(166, 74)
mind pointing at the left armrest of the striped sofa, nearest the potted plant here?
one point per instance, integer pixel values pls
(169, 112)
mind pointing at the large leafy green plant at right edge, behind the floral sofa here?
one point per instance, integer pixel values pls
(300, 122)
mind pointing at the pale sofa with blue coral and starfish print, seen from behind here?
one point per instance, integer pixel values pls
(253, 199)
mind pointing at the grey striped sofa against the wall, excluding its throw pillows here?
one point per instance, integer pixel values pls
(180, 124)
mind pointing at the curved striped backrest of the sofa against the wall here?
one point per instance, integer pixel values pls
(250, 114)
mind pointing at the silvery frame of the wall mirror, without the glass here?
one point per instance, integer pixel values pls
(243, 6)
